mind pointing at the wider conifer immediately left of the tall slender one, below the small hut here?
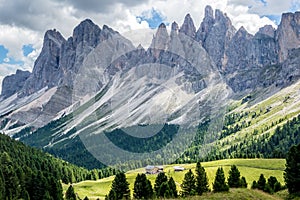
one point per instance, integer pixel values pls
(189, 184)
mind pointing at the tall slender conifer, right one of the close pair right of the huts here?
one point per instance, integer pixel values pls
(201, 180)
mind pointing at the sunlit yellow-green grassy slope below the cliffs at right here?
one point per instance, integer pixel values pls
(283, 105)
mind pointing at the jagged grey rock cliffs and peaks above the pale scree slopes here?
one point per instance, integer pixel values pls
(93, 58)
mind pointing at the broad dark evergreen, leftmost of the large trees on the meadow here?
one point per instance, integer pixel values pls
(121, 186)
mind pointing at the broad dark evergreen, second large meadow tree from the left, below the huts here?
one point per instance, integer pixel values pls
(142, 187)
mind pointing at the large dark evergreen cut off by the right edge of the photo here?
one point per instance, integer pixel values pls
(292, 170)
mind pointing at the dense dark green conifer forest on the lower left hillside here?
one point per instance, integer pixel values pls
(28, 173)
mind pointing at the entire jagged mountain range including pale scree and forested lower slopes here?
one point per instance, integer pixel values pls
(96, 85)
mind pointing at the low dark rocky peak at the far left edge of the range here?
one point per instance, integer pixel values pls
(14, 83)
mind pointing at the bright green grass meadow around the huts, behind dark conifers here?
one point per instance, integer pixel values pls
(250, 168)
